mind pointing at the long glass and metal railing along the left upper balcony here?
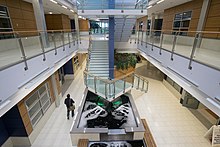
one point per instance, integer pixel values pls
(19, 46)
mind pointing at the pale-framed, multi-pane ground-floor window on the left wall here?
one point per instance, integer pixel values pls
(38, 103)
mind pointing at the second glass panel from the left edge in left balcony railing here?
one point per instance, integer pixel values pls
(31, 44)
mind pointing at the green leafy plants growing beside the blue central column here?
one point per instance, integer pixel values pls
(125, 60)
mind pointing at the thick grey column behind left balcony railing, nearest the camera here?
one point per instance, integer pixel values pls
(40, 20)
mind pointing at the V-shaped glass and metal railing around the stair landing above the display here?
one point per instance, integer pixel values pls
(111, 89)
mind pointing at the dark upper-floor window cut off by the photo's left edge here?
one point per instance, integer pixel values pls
(5, 23)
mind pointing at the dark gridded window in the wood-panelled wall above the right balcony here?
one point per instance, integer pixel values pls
(181, 22)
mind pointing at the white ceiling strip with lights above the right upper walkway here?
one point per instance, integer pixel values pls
(159, 8)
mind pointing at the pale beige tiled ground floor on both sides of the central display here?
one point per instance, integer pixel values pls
(171, 124)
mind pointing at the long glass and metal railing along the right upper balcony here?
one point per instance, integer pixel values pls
(199, 46)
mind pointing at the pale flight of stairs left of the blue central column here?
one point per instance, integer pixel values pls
(99, 61)
